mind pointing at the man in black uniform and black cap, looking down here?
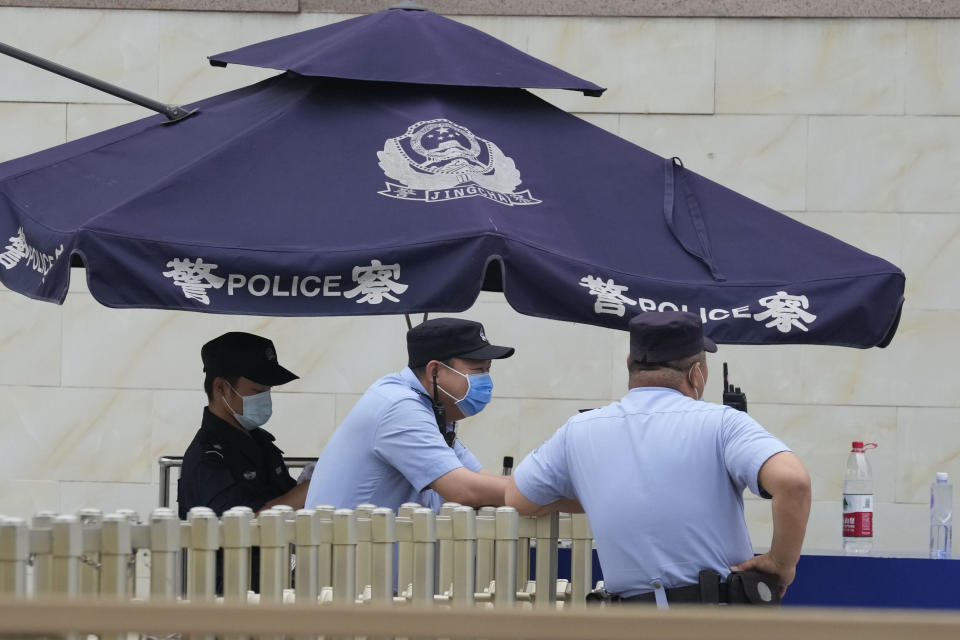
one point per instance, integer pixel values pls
(232, 461)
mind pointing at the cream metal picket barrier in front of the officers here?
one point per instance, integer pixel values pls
(353, 556)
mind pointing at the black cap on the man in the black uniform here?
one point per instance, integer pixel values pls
(244, 354)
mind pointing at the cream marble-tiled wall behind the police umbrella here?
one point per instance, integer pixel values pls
(850, 126)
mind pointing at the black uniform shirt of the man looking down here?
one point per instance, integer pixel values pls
(224, 467)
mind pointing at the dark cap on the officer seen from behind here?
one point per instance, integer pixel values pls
(662, 336)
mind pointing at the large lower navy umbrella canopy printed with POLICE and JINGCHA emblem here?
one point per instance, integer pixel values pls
(327, 196)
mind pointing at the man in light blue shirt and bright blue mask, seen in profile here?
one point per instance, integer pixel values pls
(398, 444)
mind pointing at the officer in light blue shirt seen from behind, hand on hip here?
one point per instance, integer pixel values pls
(661, 474)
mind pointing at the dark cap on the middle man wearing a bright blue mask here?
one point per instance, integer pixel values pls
(445, 338)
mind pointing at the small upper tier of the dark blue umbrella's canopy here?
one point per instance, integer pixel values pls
(406, 45)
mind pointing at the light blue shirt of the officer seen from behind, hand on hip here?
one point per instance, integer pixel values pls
(661, 479)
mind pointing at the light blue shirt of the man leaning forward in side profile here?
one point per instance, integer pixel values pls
(387, 451)
